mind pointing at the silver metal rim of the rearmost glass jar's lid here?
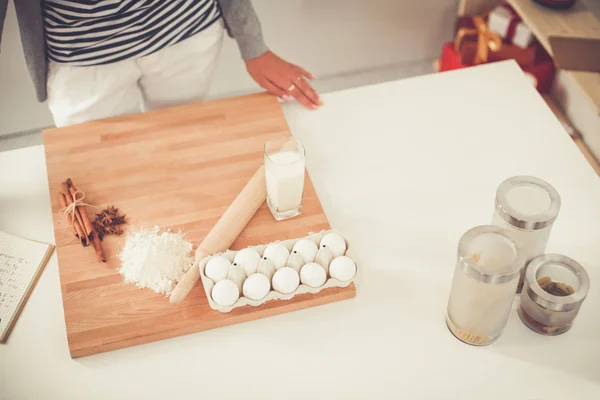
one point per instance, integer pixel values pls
(520, 219)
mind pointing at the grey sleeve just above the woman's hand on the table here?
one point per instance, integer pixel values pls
(243, 25)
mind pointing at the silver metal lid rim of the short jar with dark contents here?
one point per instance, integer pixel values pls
(550, 301)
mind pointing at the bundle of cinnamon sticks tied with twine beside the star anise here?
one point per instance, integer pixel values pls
(79, 219)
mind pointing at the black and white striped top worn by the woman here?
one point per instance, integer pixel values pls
(94, 32)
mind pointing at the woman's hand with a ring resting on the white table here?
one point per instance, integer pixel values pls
(283, 79)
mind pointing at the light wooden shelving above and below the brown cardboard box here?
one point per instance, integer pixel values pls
(582, 20)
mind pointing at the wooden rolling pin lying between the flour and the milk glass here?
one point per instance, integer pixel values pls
(226, 230)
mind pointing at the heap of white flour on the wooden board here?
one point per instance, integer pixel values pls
(154, 259)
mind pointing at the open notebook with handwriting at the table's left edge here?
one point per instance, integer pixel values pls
(21, 263)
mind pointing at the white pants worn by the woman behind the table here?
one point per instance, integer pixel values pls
(175, 75)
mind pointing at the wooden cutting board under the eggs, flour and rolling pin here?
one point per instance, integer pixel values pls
(177, 168)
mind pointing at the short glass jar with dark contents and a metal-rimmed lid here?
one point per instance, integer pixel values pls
(555, 286)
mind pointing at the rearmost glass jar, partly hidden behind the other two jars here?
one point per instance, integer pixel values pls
(528, 207)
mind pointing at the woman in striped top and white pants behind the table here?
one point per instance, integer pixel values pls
(94, 59)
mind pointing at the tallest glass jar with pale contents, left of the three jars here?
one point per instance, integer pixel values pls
(487, 272)
